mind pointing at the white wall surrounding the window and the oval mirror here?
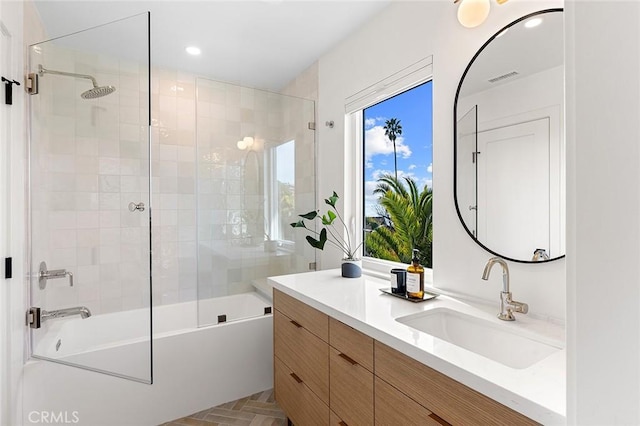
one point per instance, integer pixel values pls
(414, 30)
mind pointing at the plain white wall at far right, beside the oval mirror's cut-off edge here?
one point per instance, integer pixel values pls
(603, 211)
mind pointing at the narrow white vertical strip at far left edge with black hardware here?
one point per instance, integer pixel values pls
(12, 154)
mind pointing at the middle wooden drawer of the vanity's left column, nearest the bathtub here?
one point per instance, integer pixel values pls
(303, 352)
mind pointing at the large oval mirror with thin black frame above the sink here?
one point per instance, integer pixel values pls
(509, 171)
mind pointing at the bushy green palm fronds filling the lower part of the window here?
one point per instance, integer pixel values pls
(410, 213)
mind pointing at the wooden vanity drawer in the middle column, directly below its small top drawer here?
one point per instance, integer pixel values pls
(351, 390)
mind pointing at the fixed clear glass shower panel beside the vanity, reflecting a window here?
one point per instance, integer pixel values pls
(256, 172)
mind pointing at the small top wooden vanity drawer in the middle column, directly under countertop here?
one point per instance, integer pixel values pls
(351, 342)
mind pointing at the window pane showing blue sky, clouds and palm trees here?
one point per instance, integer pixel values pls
(398, 182)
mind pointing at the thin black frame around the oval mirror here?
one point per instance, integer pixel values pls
(455, 138)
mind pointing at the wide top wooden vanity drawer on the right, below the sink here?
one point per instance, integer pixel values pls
(448, 399)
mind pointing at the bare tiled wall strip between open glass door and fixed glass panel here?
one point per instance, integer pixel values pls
(173, 171)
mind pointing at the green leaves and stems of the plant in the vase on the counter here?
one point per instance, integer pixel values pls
(329, 234)
